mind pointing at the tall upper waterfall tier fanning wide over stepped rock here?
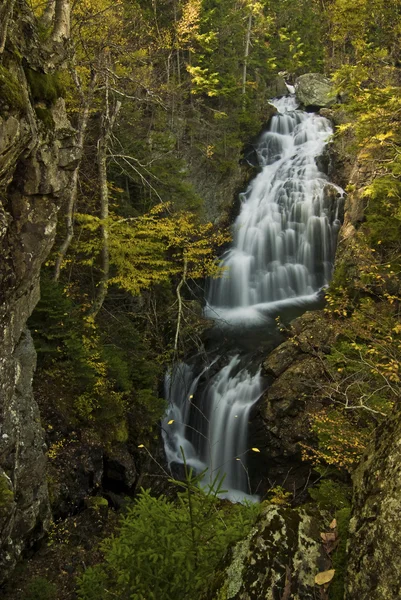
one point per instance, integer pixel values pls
(284, 238)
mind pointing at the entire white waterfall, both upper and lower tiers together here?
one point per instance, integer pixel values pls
(282, 254)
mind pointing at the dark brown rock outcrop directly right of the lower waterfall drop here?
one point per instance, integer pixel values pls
(283, 415)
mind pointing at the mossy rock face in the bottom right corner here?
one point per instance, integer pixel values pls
(374, 546)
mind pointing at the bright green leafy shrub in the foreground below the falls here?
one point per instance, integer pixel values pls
(167, 550)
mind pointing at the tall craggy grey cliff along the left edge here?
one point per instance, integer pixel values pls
(34, 171)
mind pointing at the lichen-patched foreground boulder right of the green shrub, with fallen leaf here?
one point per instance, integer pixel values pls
(279, 559)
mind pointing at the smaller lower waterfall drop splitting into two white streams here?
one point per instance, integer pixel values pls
(213, 432)
